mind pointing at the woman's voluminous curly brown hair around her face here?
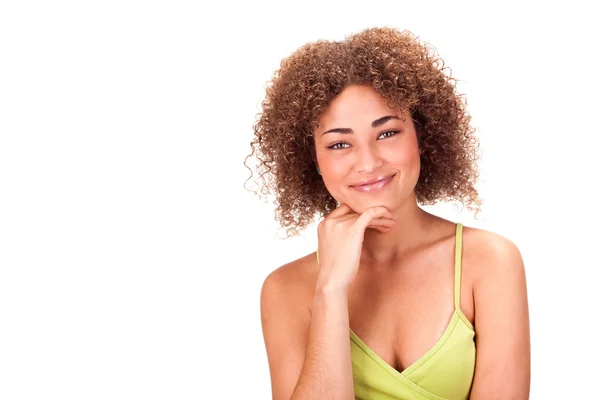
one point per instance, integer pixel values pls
(406, 73)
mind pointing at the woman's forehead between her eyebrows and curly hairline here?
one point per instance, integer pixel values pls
(356, 106)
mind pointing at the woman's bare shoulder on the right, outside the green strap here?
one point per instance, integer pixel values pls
(490, 255)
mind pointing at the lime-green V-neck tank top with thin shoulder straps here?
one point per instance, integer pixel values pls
(445, 372)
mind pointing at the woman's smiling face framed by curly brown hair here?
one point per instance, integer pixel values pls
(359, 140)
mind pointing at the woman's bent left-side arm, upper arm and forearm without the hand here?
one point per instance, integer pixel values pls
(308, 352)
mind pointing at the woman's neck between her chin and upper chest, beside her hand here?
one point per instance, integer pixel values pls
(410, 229)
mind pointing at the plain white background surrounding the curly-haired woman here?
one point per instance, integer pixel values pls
(132, 257)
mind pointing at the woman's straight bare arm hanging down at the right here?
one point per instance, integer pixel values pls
(502, 369)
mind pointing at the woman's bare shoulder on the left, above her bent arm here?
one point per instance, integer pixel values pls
(290, 285)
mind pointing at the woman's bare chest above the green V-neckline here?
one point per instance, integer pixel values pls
(401, 313)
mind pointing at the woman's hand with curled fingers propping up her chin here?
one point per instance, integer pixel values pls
(341, 236)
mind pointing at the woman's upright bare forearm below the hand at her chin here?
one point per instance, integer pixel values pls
(327, 369)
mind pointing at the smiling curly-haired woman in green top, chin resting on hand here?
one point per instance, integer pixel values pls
(396, 303)
